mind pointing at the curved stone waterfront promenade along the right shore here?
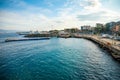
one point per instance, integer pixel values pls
(112, 46)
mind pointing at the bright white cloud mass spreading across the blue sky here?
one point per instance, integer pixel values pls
(74, 13)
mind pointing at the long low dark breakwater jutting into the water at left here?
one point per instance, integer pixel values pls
(26, 39)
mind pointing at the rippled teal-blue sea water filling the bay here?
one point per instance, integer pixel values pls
(55, 59)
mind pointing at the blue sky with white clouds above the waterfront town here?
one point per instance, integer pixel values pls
(56, 14)
